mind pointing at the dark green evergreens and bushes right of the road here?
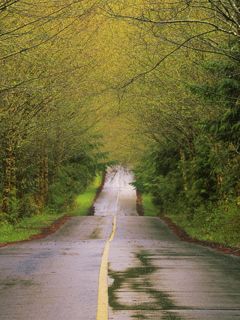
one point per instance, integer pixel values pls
(198, 183)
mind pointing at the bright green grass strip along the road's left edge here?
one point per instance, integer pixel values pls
(31, 226)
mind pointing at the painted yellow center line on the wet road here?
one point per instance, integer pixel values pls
(102, 310)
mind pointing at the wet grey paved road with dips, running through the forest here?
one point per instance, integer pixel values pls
(151, 273)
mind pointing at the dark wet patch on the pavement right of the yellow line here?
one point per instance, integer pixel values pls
(134, 286)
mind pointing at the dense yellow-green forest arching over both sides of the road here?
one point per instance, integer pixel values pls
(153, 85)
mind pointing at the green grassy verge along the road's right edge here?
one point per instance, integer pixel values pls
(218, 224)
